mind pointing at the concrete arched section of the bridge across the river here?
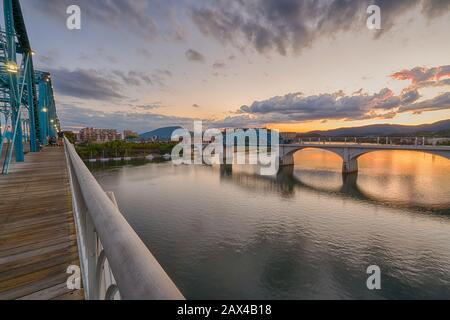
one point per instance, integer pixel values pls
(350, 152)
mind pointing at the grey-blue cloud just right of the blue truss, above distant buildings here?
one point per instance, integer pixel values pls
(85, 84)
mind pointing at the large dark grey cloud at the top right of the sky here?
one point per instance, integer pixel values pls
(288, 26)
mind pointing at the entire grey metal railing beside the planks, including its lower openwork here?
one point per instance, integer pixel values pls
(115, 263)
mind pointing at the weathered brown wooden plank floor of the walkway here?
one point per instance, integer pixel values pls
(37, 231)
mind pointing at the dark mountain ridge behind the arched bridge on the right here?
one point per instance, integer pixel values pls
(438, 128)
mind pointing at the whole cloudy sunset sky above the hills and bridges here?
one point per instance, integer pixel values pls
(284, 64)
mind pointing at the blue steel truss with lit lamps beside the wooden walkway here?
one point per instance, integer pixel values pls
(27, 105)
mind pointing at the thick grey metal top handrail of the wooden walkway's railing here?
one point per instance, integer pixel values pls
(137, 273)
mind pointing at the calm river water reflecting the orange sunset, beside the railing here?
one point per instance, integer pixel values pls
(307, 233)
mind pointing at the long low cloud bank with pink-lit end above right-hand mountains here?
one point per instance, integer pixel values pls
(385, 104)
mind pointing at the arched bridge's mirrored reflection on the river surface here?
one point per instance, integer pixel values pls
(333, 184)
